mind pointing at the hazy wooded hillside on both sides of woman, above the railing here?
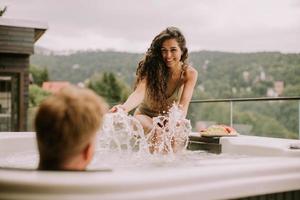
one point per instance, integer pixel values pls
(221, 74)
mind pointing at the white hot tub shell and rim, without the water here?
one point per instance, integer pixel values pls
(258, 166)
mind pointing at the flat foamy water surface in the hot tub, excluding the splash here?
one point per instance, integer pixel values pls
(134, 162)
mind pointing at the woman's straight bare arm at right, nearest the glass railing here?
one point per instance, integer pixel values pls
(188, 89)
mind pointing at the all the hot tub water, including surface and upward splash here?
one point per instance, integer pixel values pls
(122, 145)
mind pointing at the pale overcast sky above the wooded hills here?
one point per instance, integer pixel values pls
(130, 25)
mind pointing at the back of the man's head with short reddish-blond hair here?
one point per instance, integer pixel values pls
(66, 124)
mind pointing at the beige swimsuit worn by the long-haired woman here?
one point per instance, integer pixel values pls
(146, 108)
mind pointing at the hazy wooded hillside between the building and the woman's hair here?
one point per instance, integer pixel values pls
(79, 66)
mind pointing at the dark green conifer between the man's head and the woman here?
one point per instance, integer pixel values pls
(107, 86)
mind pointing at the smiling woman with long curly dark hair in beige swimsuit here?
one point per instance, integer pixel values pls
(163, 77)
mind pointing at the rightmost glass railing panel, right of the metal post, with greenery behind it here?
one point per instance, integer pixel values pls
(267, 118)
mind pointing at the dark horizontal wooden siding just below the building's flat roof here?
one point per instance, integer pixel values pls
(16, 40)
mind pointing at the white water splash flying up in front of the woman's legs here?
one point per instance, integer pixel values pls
(123, 132)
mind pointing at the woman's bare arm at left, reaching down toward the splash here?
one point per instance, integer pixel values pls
(136, 97)
